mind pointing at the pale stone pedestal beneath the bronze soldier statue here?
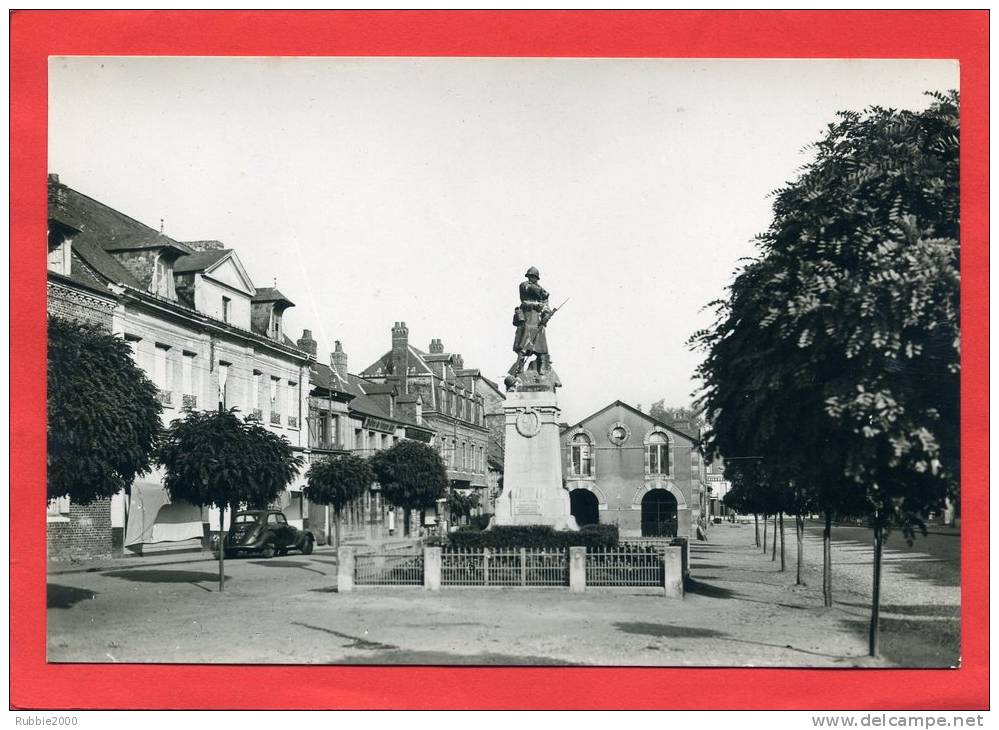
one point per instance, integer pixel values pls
(533, 493)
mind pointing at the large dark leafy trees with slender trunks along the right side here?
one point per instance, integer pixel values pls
(832, 372)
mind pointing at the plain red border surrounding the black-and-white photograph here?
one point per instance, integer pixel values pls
(35, 35)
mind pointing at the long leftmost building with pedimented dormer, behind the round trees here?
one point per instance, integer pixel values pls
(203, 333)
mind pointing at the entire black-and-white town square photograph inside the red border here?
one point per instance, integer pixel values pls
(503, 361)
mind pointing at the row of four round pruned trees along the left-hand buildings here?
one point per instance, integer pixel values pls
(104, 430)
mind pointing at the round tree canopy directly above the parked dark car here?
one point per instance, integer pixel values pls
(217, 458)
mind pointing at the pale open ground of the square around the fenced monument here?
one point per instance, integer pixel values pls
(740, 611)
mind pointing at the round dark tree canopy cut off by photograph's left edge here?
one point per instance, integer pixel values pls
(103, 413)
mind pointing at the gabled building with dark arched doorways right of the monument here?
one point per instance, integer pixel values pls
(624, 467)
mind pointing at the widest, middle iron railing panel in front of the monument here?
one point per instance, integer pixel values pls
(504, 567)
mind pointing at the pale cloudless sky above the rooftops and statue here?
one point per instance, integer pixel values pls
(376, 190)
